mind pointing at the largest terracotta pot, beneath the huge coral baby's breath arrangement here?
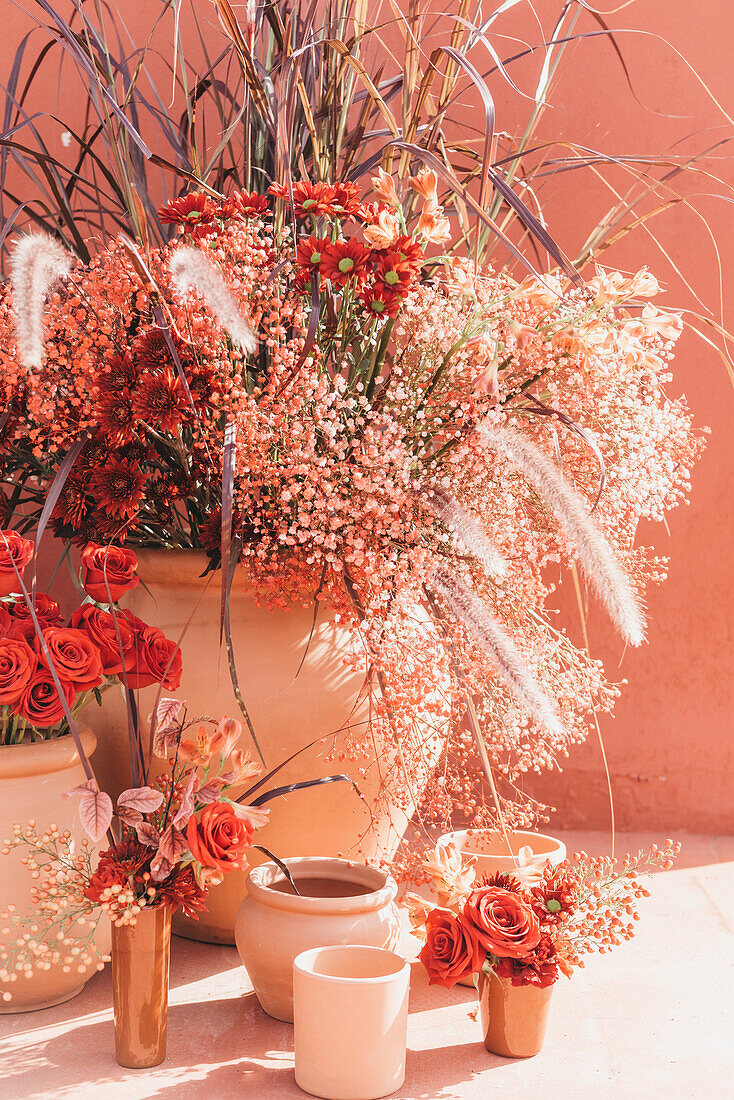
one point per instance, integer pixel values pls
(289, 709)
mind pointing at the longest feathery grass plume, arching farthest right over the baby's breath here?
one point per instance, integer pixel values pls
(596, 557)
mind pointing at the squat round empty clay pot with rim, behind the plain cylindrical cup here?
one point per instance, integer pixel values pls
(343, 904)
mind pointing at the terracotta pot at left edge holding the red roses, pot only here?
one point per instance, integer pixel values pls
(34, 780)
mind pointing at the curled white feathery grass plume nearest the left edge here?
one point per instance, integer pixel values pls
(38, 261)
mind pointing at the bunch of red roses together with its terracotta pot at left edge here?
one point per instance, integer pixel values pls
(50, 672)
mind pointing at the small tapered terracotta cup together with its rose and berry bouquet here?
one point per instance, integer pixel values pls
(517, 936)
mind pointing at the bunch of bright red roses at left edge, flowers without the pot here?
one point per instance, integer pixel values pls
(50, 670)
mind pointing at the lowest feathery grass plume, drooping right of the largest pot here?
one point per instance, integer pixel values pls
(470, 610)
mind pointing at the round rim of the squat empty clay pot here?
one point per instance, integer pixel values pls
(385, 888)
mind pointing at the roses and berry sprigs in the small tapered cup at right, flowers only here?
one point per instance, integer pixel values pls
(531, 927)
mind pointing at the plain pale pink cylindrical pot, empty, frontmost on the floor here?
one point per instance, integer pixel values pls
(352, 1013)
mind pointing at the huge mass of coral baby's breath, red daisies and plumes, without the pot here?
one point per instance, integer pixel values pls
(363, 422)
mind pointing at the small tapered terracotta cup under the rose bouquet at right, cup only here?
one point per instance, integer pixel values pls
(514, 1018)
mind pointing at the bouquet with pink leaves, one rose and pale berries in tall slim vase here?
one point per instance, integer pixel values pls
(170, 841)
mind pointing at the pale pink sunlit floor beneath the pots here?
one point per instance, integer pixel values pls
(652, 1020)
